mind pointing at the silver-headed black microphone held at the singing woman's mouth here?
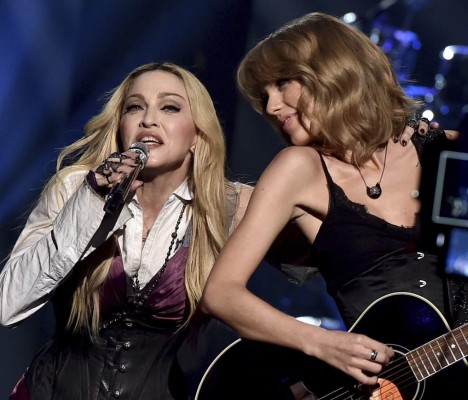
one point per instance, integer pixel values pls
(119, 191)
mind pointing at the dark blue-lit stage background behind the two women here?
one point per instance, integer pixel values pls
(57, 58)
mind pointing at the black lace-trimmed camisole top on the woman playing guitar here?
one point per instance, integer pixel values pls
(351, 239)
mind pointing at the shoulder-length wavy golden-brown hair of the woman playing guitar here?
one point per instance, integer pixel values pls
(350, 92)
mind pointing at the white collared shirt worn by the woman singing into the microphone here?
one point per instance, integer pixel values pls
(63, 229)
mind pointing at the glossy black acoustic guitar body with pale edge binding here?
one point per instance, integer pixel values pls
(253, 370)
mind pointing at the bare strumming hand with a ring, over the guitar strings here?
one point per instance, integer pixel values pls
(355, 354)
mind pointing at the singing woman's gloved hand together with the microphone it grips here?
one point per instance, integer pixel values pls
(115, 163)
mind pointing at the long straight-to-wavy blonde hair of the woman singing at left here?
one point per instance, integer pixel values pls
(206, 180)
